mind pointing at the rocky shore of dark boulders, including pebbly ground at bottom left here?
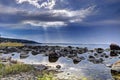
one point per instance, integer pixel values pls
(96, 56)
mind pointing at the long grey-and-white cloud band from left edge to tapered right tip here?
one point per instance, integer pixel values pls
(46, 18)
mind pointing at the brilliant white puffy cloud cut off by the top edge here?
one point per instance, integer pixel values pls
(49, 4)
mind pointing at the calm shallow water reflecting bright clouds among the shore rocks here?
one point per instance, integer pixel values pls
(71, 71)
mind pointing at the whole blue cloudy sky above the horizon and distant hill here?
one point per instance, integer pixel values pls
(61, 21)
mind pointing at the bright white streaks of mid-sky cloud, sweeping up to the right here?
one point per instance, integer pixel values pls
(67, 16)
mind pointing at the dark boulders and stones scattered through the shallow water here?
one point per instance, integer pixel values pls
(95, 56)
